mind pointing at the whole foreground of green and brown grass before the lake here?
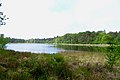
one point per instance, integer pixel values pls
(61, 66)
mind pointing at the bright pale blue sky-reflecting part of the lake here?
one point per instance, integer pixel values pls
(34, 48)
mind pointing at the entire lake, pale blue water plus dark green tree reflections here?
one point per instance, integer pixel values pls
(52, 48)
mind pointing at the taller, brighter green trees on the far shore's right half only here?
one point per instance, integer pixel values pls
(99, 37)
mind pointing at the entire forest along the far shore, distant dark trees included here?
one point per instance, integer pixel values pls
(99, 37)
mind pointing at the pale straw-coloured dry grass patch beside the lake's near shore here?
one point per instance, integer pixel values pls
(86, 57)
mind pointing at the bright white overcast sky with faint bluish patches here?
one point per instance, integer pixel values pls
(49, 18)
